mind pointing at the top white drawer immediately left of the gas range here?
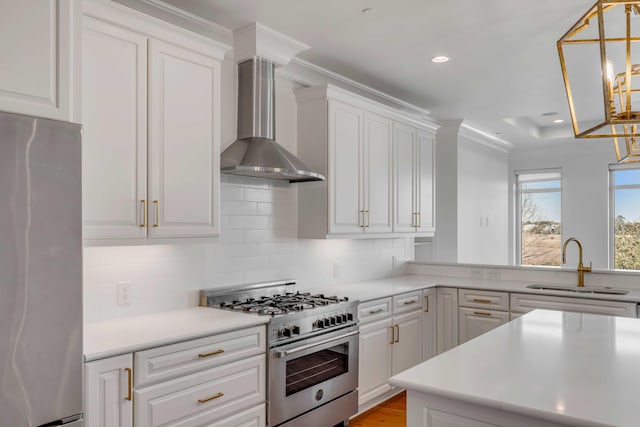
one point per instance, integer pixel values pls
(164, 363)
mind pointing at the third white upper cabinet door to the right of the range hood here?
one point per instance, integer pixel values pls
(403, 146)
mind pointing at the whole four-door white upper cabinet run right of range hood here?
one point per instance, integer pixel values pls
(350, 140)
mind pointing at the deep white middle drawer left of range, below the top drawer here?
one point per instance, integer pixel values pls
(203, 398)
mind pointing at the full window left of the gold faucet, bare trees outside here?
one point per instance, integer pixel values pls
(539, 226)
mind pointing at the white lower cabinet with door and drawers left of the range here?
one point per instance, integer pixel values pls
(213, 381)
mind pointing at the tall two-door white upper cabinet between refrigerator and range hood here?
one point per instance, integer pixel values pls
(151, 114)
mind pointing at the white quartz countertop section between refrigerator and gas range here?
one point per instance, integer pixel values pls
(124, 335)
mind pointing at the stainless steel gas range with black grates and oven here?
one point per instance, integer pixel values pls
(312, 351)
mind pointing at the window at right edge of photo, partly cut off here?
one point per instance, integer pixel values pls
(625, 217)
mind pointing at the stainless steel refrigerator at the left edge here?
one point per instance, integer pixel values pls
(40, 272)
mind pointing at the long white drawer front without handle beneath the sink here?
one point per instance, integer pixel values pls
(524, 303)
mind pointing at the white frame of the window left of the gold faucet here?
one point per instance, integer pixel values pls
(558, 175)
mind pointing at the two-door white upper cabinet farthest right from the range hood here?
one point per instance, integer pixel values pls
(414, 183)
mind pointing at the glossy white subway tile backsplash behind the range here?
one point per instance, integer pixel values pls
(257, 243)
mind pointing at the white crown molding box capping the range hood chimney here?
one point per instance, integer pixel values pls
(257, 40)
